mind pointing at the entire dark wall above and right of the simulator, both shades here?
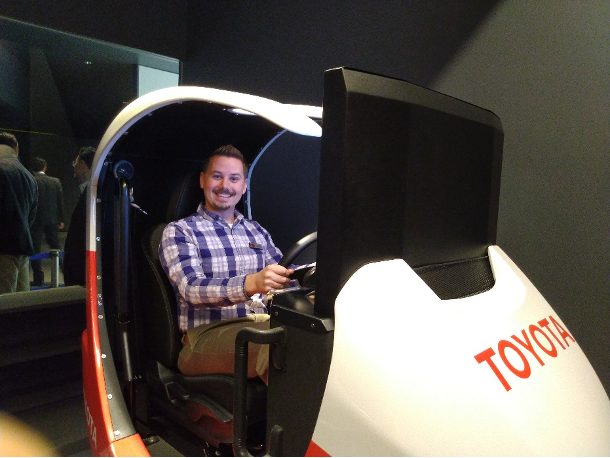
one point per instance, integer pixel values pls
(543, 67)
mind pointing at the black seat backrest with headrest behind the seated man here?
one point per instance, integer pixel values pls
(159, 307)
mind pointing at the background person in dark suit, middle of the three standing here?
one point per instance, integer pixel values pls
(49, 216)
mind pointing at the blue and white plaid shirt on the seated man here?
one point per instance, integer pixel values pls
(207, 261)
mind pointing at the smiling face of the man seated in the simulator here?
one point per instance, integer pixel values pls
(223, 184)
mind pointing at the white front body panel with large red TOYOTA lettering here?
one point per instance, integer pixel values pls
(404, 379)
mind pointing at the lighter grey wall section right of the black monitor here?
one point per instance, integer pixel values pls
(544, 68)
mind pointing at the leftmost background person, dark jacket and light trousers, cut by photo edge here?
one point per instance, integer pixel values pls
(18, 204)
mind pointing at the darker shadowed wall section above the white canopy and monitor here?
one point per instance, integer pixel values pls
(281, 49)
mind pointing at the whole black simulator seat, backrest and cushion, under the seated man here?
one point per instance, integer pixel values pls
(202, 404)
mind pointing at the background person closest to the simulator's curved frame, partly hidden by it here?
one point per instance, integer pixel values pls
(75, 245)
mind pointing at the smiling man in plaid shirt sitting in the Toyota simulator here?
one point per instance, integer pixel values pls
(221, 266)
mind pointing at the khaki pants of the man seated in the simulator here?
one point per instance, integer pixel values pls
(210, 348)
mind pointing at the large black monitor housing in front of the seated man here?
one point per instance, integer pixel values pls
(406, 172)
